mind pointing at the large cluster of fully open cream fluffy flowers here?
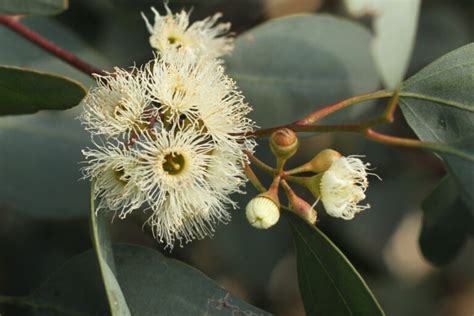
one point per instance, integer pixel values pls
(169, 136)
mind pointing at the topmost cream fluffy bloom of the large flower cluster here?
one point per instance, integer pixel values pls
(174, 31)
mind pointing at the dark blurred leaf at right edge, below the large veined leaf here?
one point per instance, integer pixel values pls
(446, 223)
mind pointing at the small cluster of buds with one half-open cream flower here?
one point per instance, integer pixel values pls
(338, 182)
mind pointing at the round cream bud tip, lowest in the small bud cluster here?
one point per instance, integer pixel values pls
(262, 212)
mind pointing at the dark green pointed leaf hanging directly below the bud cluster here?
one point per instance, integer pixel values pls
(329, 284)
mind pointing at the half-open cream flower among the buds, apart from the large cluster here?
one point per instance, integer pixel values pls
(343, 186)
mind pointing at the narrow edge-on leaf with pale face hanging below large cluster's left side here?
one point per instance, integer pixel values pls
(103, 249)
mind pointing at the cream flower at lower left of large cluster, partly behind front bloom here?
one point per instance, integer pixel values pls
(113, 169)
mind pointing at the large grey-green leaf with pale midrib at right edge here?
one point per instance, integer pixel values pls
(438, 104)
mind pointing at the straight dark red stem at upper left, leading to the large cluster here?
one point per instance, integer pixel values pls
(13, 24)
